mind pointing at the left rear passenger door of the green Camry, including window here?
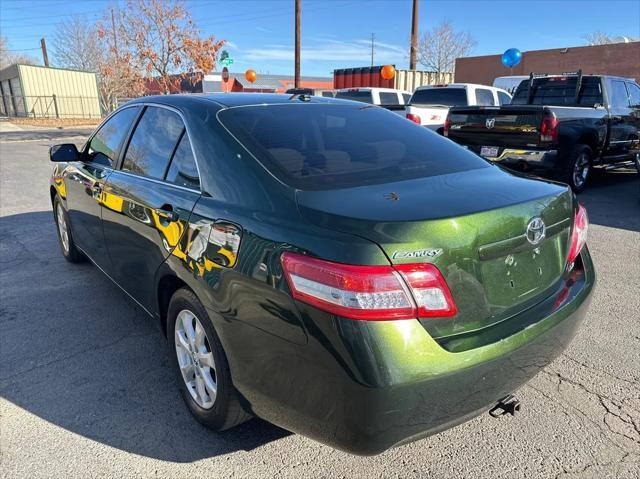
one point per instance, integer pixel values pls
(149, 199)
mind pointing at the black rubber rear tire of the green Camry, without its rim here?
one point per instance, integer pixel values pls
(227, 410)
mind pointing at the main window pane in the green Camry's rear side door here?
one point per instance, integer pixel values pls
(153, 142)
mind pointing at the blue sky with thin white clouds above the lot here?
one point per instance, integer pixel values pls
(337, 33)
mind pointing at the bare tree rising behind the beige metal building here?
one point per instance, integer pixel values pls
(76, 45)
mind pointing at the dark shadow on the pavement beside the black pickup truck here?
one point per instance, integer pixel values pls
(613, 199)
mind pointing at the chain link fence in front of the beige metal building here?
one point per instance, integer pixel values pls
(52, 106)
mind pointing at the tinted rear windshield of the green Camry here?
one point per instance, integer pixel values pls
(315, 146)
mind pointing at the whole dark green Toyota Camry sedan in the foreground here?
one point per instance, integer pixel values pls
(326, 265)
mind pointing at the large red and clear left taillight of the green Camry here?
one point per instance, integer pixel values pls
(372, 293)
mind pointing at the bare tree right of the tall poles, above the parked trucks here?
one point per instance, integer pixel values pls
(438, 48)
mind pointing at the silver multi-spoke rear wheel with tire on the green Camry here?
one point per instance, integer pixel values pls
(200, 364)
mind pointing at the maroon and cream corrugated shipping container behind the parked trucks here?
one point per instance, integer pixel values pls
(407, 80)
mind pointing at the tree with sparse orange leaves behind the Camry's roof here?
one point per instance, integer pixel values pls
(164, 41)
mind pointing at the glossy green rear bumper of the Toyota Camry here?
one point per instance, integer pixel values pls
(366, 386)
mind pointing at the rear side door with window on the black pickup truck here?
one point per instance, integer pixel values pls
(622, 127)
